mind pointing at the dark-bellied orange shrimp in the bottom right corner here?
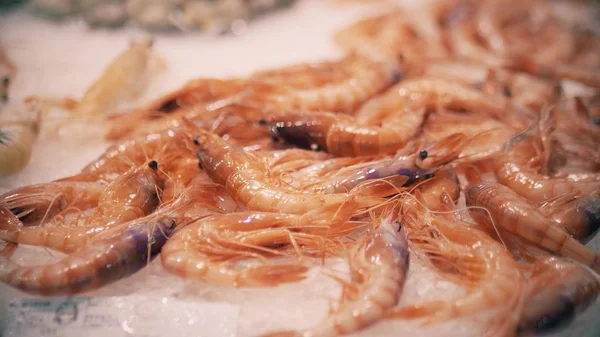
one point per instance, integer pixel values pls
(557, 290)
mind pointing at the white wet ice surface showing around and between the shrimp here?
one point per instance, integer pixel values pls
(63, 59)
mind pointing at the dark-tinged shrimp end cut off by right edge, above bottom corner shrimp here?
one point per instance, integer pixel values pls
(579, 215)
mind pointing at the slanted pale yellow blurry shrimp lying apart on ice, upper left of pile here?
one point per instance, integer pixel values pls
(123, 80)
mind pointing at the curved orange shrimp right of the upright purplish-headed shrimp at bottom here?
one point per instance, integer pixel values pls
(463, 254)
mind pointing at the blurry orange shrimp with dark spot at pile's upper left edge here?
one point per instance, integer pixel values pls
(210, 93)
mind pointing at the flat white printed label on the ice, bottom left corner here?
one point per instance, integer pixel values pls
(119, 316)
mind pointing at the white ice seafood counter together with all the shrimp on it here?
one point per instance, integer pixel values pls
(434, 172)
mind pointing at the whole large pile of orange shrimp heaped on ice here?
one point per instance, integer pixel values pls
(464, 135)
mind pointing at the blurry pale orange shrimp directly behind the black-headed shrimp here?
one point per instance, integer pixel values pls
(354, 81)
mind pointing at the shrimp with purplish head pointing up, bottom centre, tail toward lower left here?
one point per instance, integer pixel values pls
(379, 263)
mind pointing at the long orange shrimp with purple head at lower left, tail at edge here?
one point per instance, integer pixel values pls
(113, 254)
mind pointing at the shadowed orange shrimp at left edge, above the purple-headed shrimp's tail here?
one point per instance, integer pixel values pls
(36, 203)
